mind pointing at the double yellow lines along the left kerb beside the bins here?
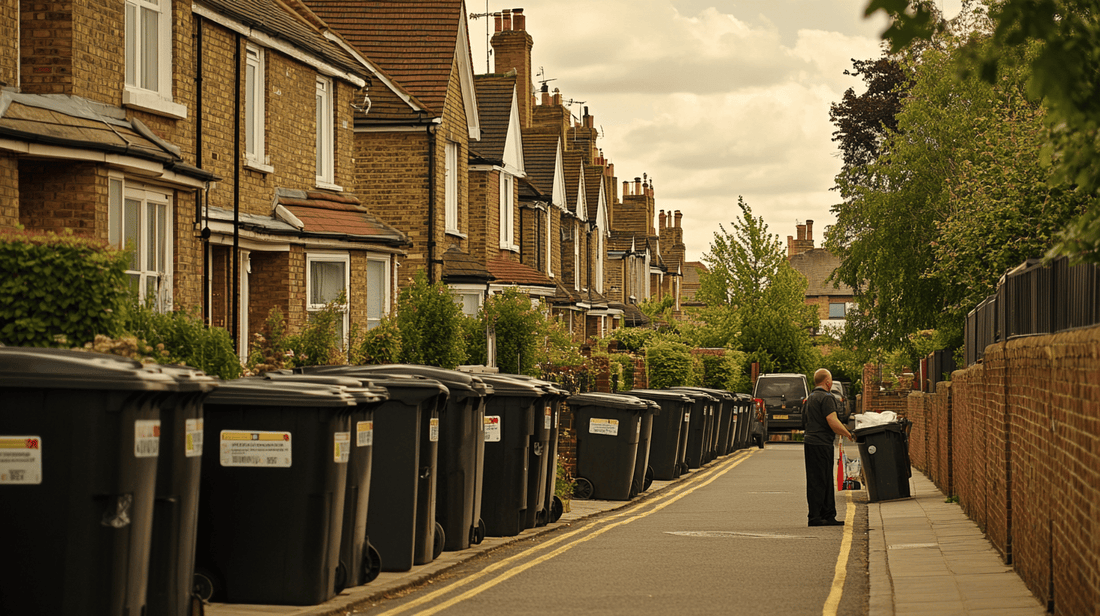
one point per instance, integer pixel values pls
(662, 501)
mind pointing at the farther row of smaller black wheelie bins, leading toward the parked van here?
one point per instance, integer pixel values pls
(625, 442)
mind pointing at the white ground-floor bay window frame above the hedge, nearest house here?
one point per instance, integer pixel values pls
(122, 194)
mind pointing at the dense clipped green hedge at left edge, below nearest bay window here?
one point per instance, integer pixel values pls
(60, 291)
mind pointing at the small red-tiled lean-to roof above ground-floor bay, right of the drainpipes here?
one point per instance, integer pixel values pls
(338, 215)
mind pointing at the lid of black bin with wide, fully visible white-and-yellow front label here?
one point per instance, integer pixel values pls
(257, 391)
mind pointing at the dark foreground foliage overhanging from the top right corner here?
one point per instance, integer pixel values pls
(1065, 74)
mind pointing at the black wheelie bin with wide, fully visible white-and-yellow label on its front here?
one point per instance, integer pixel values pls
(272, 491)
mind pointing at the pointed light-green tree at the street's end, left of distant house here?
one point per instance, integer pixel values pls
(750, 276)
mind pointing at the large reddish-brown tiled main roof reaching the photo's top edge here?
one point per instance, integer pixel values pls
(415, 41)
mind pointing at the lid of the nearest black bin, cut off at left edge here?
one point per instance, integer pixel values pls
(64, 369)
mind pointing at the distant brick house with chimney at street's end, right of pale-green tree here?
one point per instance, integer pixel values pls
(833, 301)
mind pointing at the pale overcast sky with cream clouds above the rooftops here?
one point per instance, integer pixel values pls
(713, 100)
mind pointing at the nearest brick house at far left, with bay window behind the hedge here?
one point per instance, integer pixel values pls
(97, 134)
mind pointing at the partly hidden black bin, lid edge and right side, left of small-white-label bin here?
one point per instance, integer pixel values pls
(461, 454)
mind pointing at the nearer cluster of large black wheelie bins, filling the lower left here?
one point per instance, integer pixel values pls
(119, 509)
